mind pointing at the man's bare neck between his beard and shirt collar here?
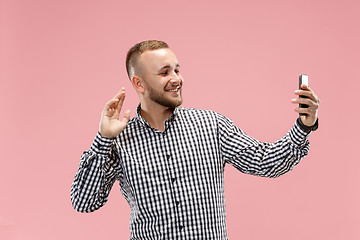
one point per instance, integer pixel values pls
(155, 114)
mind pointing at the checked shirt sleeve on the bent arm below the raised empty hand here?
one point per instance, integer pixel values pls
(98, 169)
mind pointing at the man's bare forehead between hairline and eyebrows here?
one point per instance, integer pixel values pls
(156, 59)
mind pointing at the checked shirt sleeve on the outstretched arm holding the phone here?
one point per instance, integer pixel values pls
(251, 156)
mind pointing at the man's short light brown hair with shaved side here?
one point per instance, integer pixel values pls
(134, 53)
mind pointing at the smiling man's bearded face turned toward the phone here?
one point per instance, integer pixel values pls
(162, 80)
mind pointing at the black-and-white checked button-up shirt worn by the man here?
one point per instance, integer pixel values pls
(174, 180)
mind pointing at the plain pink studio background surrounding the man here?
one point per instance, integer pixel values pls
(62, 60)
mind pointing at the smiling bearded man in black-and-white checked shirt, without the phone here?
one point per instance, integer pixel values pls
(170, 160)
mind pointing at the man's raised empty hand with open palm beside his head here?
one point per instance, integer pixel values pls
(110, 125)
